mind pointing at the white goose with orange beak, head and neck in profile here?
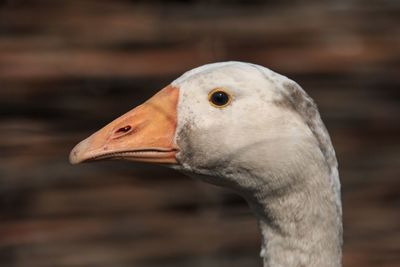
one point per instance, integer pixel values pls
(244, 127)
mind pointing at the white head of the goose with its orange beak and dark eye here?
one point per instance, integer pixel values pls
(214, 122)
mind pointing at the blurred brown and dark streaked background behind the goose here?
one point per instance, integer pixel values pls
(69, 67)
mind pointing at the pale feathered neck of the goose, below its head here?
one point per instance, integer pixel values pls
(300, 224)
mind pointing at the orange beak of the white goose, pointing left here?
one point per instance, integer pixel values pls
(144, 134)
